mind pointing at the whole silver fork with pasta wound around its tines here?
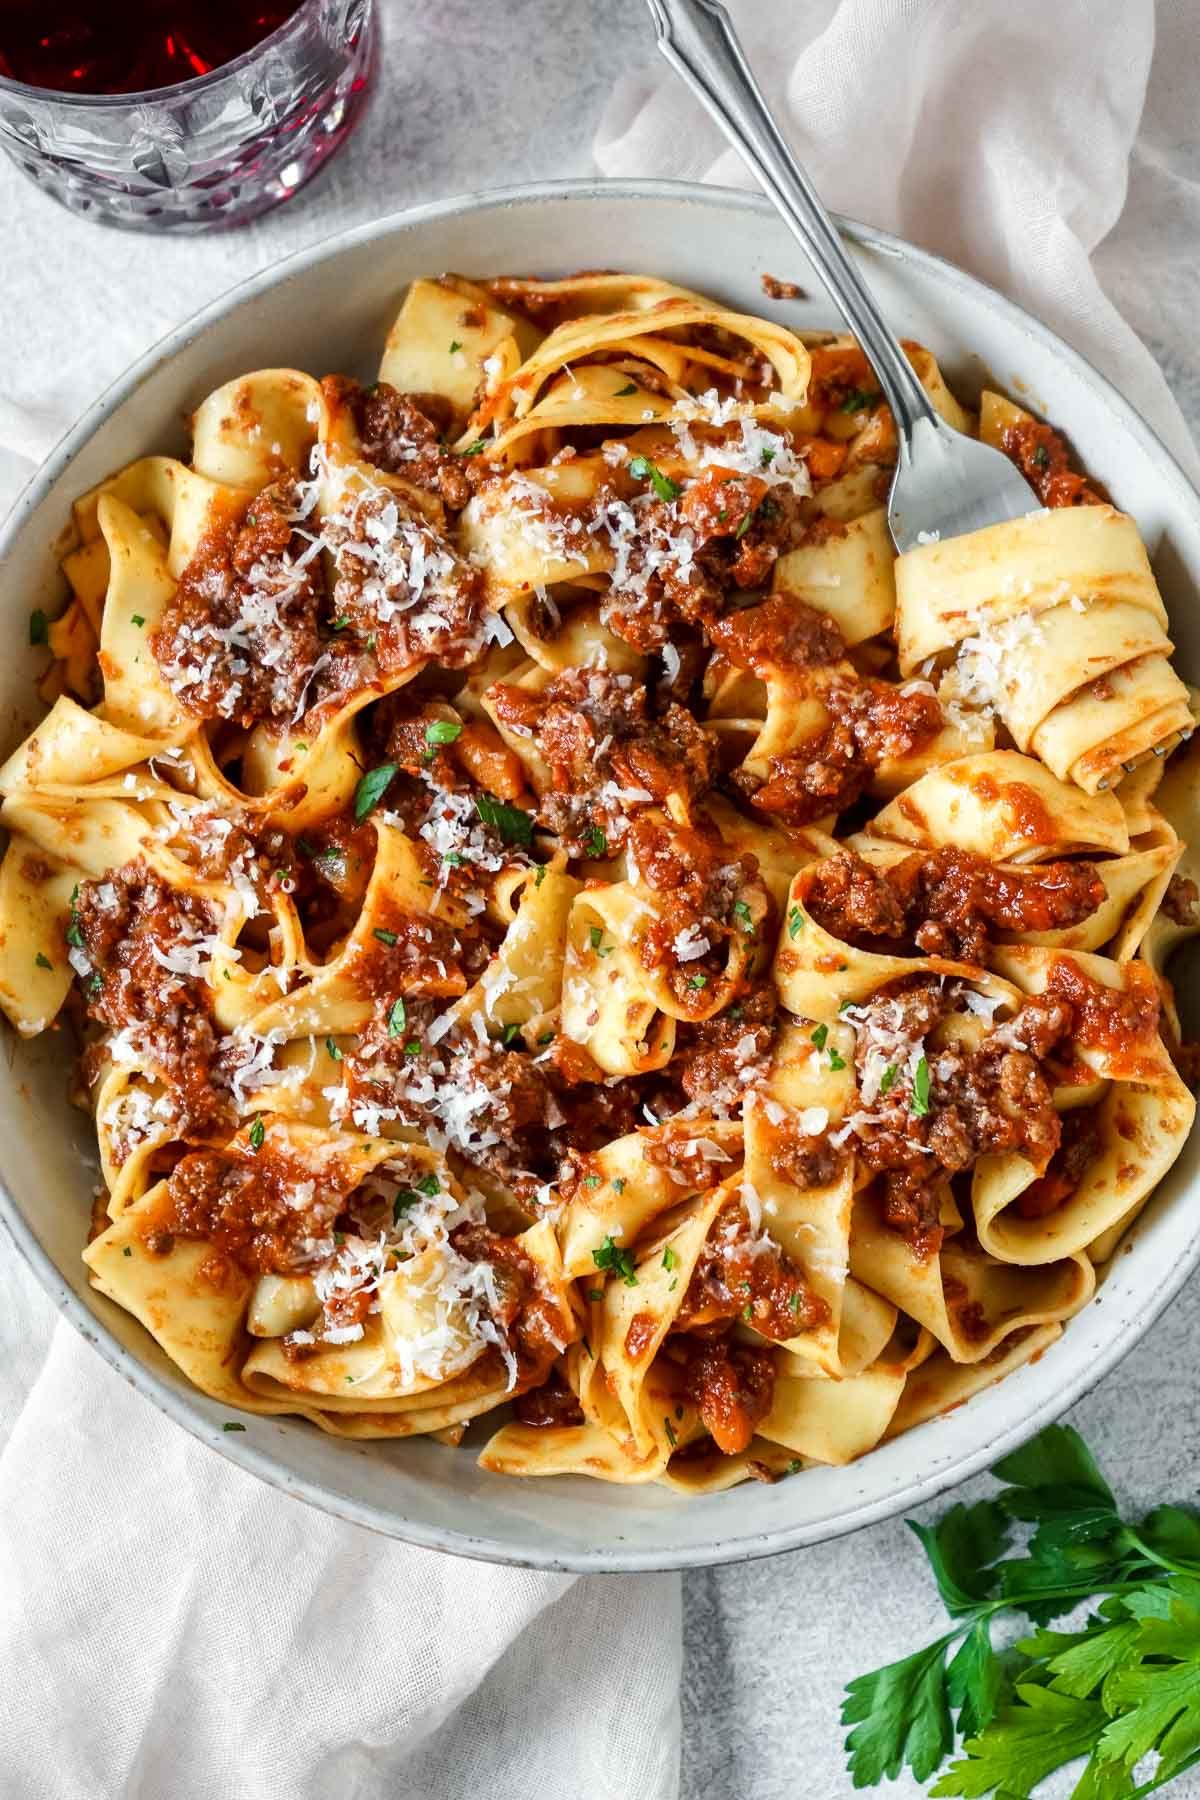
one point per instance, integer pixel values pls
(945, 483)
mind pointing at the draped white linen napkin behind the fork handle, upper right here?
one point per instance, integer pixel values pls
(994, 132)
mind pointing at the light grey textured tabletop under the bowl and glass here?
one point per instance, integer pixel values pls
(476, 98)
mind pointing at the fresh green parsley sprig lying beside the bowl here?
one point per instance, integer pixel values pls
(1122, 1687)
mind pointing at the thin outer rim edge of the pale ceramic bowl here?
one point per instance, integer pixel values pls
(238, 1448)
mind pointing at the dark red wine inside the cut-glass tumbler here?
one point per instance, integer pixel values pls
(129, 46)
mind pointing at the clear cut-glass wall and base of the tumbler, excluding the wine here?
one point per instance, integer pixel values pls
(184, 166)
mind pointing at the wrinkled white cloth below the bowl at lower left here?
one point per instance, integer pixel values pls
(172, 1626)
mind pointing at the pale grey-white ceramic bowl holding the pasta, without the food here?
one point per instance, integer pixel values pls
(330, 309)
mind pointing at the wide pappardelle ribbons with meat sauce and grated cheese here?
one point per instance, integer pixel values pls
(559, 917)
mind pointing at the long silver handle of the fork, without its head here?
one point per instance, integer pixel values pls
(701, 44)
